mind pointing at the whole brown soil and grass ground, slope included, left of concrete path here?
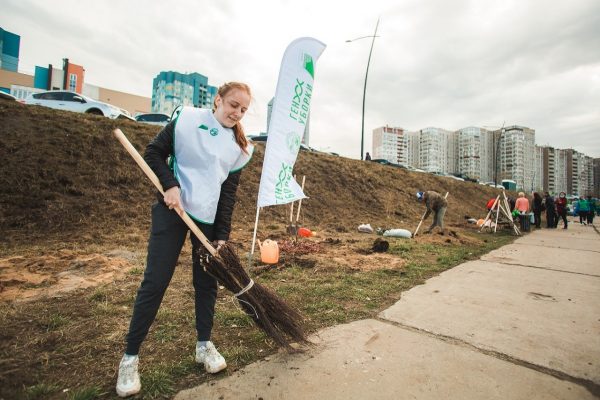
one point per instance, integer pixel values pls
(74, 220)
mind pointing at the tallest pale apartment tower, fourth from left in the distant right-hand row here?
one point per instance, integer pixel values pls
(516, 147)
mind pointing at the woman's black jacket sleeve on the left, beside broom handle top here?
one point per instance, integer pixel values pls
(156, 154)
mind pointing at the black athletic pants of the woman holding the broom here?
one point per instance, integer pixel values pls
(167, 236)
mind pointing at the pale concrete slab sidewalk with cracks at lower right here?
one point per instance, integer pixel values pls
(523, 322)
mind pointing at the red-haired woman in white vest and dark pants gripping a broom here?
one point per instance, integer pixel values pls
(206, 151)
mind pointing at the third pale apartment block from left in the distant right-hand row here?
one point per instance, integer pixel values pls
(475, 149)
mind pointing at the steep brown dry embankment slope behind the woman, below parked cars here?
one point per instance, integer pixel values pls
(65, 177)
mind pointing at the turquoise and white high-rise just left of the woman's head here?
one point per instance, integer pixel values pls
(173, 89)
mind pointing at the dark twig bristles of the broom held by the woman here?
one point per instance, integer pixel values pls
(270, 313)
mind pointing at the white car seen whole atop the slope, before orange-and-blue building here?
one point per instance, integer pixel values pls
(71, 101)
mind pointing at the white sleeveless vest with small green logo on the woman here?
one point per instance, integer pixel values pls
(205, 154)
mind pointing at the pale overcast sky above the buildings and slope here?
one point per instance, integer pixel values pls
(441, 63)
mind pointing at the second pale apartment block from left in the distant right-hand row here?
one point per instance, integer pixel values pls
(435, 144)
